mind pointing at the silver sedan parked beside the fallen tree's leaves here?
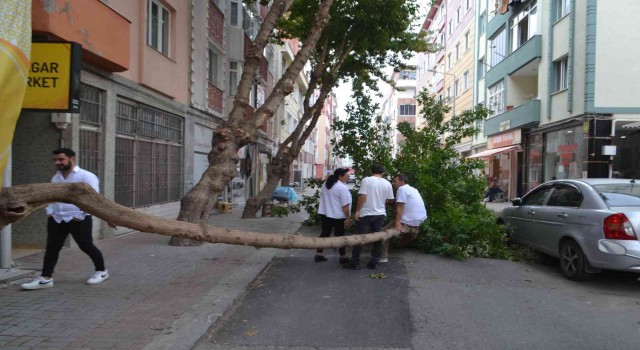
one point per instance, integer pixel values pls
(589, 224)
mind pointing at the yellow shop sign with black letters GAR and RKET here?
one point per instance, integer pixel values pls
(54, 77)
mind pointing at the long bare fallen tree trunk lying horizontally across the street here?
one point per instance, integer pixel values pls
(20, 201)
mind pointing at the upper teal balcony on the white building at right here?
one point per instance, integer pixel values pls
(525, 54)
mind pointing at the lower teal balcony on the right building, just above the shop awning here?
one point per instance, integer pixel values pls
(521, 116)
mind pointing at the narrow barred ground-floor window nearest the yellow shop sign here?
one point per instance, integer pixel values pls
(91, 147)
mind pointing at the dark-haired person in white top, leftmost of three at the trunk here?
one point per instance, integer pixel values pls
(335, 210)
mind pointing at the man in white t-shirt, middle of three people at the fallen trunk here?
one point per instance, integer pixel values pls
(374, 194)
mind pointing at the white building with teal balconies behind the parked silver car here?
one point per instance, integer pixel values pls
(561, 88)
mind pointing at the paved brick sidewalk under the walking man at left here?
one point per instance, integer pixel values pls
(158, 297)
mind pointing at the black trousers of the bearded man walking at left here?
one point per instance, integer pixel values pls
(81, 232)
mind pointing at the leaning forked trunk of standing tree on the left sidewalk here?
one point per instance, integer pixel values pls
(241, 128)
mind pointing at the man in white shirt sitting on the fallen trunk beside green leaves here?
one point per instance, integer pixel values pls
(410, 213)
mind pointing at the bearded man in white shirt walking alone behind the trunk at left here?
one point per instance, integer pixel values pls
(64, 218)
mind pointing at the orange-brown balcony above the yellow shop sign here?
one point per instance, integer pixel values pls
(105, 42)
